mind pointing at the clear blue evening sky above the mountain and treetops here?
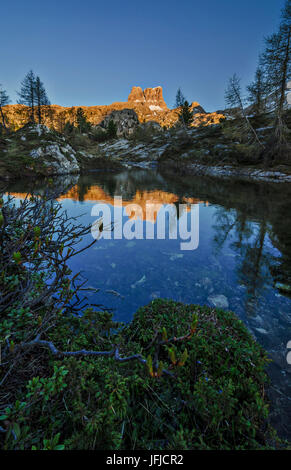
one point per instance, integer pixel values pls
(92, 52)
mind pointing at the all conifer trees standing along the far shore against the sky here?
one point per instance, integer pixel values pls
(266, 95)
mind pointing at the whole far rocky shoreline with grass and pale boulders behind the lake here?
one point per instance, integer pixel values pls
(36, 150)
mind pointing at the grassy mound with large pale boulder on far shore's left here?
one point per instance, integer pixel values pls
(35, 150)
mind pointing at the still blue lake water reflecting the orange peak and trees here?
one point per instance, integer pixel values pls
(244, 249)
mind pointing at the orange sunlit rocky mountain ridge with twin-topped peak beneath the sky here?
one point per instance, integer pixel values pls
(149, 105)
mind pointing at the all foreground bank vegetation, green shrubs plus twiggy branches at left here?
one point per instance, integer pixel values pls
(177, 377)
